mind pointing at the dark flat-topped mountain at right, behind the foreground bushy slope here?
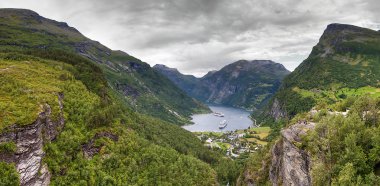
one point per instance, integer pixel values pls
(344, 62)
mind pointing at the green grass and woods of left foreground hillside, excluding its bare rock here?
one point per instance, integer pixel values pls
(146, 150)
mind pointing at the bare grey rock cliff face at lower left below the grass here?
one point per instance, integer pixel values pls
(29, 140)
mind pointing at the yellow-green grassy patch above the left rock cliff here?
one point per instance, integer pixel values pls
(27, 87)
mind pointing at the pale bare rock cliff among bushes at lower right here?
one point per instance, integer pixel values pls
(290, 164)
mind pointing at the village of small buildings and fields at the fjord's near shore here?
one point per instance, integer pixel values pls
(236, 143)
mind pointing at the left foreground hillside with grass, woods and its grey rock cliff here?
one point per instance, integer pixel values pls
(55, 130)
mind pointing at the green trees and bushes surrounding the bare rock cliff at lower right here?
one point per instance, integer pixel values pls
(343, 149)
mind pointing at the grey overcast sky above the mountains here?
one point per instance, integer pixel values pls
(197, 36)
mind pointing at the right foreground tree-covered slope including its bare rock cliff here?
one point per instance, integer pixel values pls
(323, 148)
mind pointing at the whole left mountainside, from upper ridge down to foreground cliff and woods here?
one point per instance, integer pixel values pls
(63, 121)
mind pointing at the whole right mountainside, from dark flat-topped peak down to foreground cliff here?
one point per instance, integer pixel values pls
(327, 111)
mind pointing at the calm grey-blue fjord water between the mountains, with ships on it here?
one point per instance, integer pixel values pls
(237, 119)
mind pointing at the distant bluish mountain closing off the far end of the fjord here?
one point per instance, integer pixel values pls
(244, 84)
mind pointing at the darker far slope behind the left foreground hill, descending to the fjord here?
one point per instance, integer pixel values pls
(138, 84)
